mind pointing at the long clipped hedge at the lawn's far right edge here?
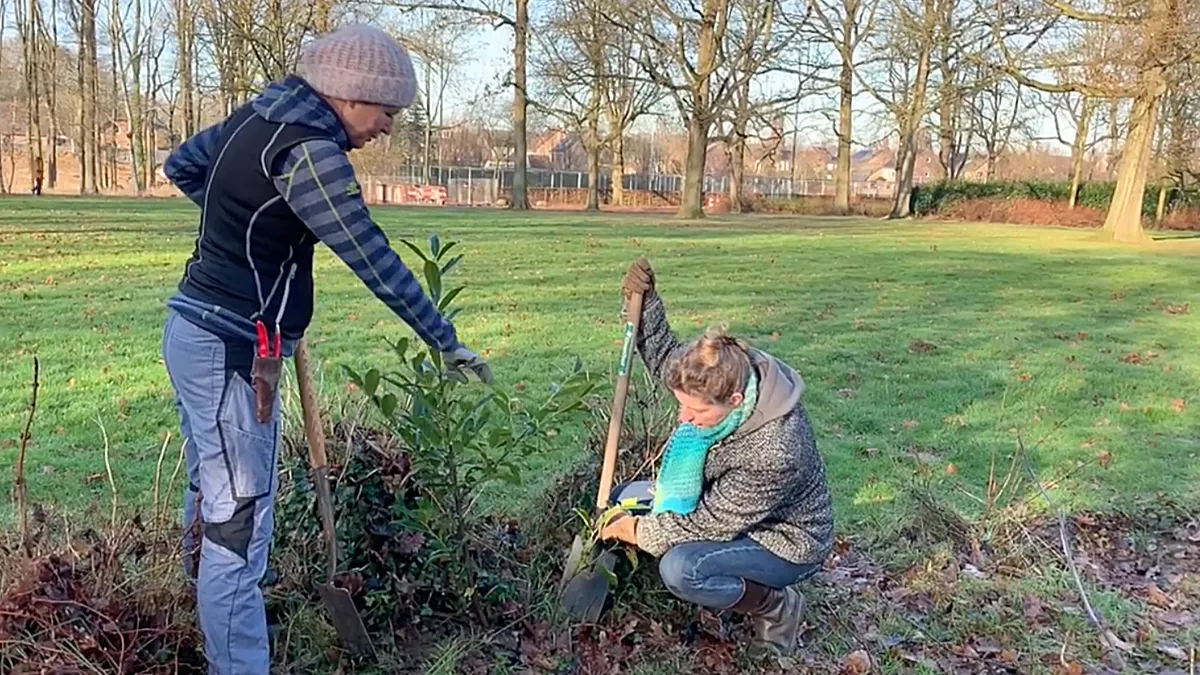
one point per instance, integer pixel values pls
(934, 198)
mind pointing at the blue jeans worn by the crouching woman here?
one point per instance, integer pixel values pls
(715, 575)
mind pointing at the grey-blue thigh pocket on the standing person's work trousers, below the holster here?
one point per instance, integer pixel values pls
(250, 447)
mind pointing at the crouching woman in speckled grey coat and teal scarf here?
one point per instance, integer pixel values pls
(741, 511)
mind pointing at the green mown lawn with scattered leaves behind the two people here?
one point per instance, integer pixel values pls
(922, 345)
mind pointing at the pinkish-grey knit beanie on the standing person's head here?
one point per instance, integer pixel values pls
(359, 63)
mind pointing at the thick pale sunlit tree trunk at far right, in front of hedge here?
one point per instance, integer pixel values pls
(1124, 220)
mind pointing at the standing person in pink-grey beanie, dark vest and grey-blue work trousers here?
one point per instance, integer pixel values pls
(272, 182)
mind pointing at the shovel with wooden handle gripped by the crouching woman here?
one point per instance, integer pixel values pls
(585, 588)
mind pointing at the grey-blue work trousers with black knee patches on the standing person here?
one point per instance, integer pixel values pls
(232, 481)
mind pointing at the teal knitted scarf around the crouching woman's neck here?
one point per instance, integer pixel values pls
(682, 476)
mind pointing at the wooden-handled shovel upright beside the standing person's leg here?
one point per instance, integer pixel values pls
(338, 602)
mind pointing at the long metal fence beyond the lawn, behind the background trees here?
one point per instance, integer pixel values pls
(487, 186)
